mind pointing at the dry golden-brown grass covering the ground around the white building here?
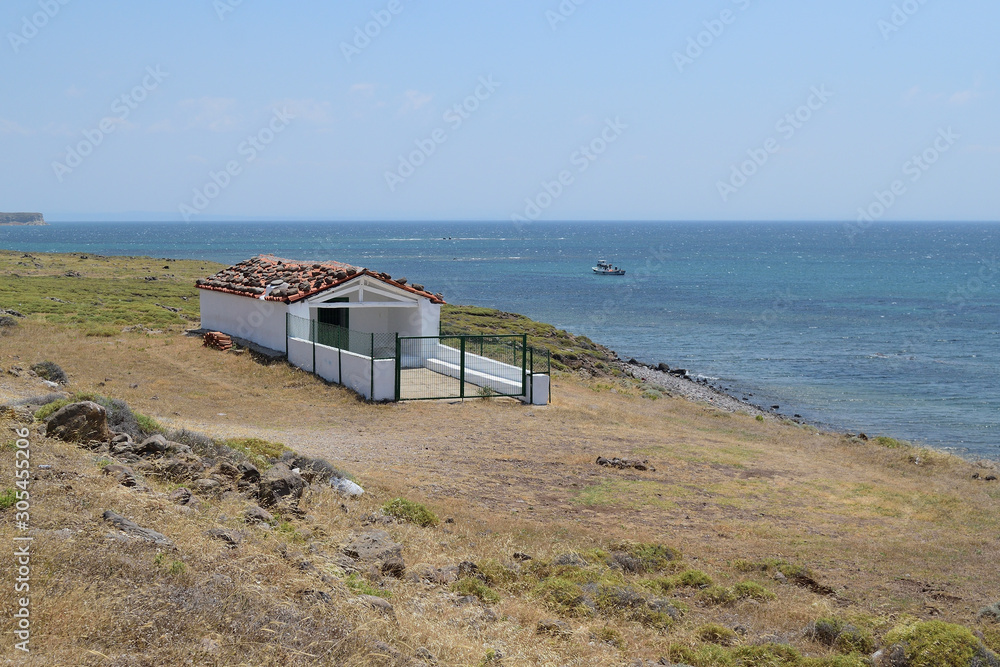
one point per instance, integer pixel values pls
(894, 532)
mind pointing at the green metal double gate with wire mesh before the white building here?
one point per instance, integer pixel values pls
(461, 366)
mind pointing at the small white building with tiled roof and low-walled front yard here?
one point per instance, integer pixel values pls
(355, 327)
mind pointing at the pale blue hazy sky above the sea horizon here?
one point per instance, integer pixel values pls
(500, 109)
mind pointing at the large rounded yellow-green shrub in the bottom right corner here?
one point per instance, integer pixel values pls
(938, 644)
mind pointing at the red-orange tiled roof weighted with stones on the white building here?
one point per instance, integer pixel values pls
(292, 281)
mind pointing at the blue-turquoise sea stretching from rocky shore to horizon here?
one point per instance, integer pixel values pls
(886, 329)
